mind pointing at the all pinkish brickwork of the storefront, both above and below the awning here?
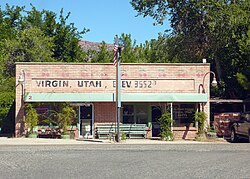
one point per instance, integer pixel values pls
(184, 78)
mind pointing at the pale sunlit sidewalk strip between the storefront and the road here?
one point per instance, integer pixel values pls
(42, 141)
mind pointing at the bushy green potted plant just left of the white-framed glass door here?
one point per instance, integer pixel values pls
(65, 119)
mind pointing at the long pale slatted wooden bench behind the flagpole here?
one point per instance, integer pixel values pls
(131, 130)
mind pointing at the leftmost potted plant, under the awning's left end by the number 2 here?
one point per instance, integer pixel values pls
(31, 120)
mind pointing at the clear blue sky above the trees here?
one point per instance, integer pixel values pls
(104, 18)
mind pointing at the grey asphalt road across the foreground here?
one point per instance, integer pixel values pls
(126, 161)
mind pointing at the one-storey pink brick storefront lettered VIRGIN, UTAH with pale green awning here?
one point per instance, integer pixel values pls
(147, 90)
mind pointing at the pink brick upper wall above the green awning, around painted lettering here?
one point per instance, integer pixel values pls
(171, 78)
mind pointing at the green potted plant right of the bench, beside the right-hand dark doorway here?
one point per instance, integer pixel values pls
(165, 123)
